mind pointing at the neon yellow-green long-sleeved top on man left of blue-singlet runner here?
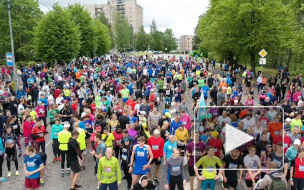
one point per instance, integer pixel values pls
(109, 170)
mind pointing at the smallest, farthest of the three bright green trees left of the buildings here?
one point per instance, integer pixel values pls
(103, 38)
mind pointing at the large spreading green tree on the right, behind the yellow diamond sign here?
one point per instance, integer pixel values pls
(236, 30)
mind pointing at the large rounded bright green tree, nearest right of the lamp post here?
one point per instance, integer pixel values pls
(57, 38)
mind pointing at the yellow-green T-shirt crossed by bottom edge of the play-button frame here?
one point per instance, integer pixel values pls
(209, 169)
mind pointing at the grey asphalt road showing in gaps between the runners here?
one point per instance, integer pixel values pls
(53, 179)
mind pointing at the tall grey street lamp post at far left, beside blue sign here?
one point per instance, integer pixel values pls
(9, 6)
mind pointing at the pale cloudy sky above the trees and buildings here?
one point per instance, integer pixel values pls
(180, 15)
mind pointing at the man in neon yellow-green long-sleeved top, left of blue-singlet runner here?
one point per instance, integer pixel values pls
(108, 173)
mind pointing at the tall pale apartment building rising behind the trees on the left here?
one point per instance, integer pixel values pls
(128, 8)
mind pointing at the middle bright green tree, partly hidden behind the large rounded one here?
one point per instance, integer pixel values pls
(81, 17)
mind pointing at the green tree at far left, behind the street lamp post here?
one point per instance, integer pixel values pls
(25, 16)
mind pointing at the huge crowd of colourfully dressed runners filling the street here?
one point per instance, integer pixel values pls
(109, 108)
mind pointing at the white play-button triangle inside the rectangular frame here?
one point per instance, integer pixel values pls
(235, 138)
